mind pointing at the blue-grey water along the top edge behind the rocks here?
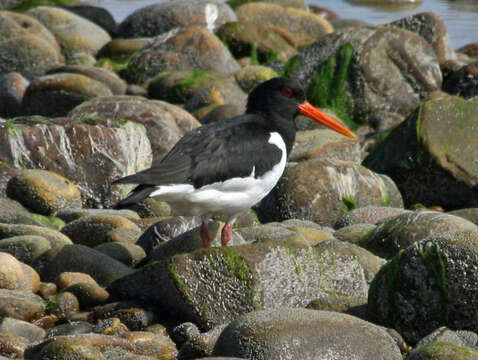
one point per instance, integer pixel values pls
(460, 16)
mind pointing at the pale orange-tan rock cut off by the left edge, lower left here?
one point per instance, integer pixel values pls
(15, 275)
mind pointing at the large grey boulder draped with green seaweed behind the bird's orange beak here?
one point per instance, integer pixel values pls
(355, 73)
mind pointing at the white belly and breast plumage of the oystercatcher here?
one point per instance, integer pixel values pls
(230, 197)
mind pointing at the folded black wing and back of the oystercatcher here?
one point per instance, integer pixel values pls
(213, 153)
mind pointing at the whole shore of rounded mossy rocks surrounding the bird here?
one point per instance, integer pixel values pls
(366, 249)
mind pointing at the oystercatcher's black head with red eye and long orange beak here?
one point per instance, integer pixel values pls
(284, 98)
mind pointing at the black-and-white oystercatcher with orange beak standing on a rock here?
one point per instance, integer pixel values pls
(229, 166)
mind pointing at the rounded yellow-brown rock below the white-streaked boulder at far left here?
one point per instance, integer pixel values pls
(43, 191)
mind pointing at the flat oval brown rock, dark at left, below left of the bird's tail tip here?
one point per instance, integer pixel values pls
(99, 229)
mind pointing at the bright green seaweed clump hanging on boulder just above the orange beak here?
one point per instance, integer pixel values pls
(328, 87)
